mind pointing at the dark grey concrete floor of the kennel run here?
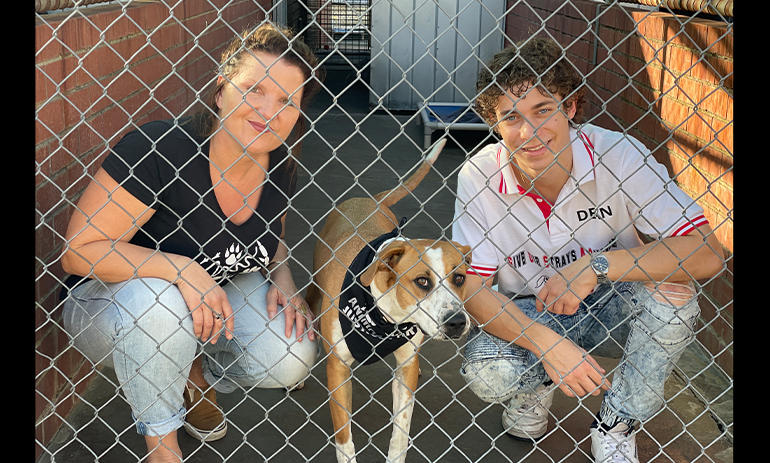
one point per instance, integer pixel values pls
(450, 424)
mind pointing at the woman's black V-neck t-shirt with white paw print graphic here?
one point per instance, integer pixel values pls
(166, 167)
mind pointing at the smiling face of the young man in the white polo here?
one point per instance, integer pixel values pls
(534, 127)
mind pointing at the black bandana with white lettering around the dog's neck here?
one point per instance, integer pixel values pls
(369, 335)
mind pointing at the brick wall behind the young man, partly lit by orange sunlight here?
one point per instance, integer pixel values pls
(671, 86)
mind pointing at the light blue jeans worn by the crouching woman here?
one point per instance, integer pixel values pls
(143, 328)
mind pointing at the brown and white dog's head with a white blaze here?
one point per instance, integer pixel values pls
(422, 281)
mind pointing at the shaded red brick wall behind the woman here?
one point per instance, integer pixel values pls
(97, 76)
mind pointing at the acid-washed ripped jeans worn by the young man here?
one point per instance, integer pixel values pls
(648, 329)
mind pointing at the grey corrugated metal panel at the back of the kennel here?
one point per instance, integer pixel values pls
(430, 51)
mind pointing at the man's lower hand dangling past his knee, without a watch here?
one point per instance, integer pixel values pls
(574, 371)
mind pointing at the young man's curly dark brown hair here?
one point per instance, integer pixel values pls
(538, 61)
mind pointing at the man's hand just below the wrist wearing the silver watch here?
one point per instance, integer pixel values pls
(563, 292)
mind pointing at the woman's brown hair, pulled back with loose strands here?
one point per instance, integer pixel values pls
(275, 41)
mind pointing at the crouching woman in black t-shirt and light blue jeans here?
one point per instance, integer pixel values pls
(179, 271)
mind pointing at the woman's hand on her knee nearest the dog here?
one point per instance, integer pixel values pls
(284, 292)
